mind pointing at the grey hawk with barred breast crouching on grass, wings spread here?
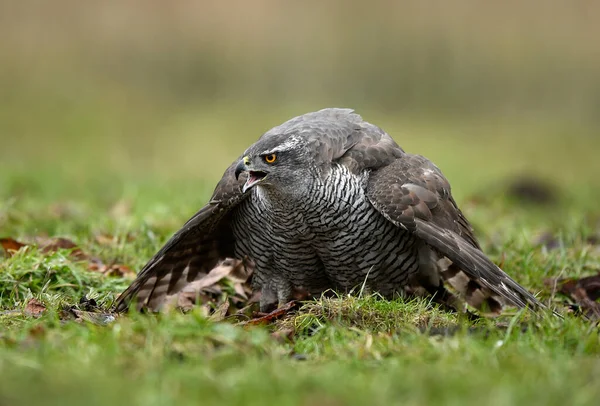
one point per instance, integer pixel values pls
(327, 201)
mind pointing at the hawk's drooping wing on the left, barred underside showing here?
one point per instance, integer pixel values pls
(195, 249)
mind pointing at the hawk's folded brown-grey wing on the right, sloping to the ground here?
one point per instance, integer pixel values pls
(412, 193)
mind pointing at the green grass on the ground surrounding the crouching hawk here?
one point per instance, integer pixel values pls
(346, 350)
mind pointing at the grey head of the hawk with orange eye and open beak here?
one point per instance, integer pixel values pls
(288, 157)
